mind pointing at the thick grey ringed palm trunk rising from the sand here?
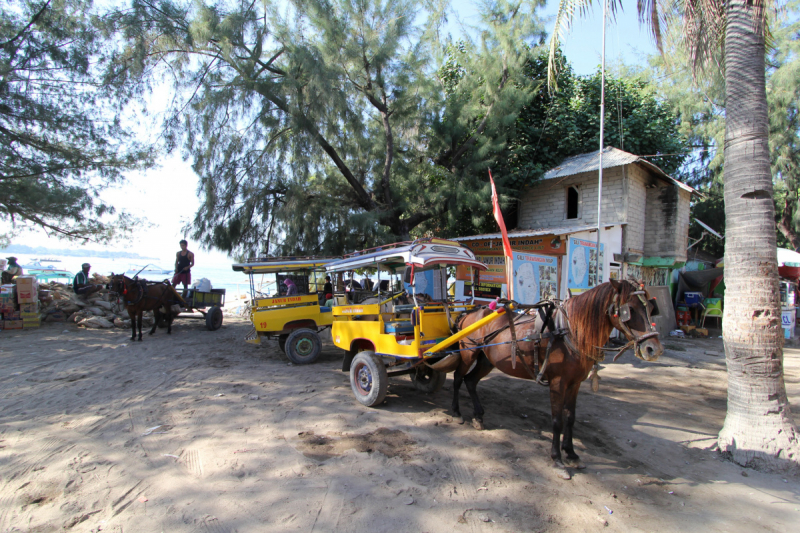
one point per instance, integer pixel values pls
(758, 430)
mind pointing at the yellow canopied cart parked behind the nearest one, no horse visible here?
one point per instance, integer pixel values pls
(295, 321)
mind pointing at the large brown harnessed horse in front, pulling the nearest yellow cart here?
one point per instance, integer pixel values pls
(582, 325)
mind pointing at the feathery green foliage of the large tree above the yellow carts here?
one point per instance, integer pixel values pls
(325, 127)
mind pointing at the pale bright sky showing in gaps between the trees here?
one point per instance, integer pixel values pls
(167, 195)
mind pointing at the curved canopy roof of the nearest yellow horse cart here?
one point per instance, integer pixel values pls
(422, 253)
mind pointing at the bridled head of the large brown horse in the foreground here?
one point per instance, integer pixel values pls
(631, 312)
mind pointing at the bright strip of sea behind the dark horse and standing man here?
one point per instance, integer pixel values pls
(218, 271)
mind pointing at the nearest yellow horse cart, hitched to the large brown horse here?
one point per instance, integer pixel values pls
(390, 338)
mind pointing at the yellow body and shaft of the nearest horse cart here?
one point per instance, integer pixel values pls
(431, 332)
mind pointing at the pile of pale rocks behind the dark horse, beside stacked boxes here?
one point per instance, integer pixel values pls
(59, 303)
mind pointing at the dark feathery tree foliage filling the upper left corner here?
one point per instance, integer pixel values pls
(60, 143)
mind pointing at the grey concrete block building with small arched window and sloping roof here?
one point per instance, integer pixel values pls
(645, 216)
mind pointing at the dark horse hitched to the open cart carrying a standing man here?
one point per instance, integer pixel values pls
(140, 296)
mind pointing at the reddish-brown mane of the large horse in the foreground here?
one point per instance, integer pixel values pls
(588, 319)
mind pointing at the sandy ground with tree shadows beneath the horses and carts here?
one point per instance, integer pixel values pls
(200, 432)
